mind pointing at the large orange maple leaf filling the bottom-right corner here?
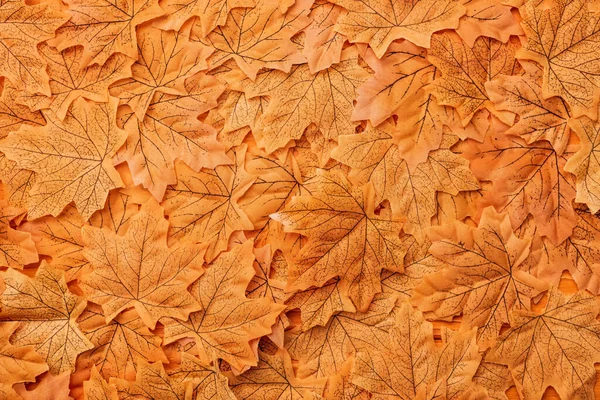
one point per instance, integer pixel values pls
(566, 335)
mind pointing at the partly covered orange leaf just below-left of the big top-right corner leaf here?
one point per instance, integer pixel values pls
(539, 118)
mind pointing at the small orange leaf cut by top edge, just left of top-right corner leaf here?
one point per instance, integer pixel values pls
(487, 18)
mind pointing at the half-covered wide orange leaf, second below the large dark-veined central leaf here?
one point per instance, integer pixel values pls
(322, 350)
